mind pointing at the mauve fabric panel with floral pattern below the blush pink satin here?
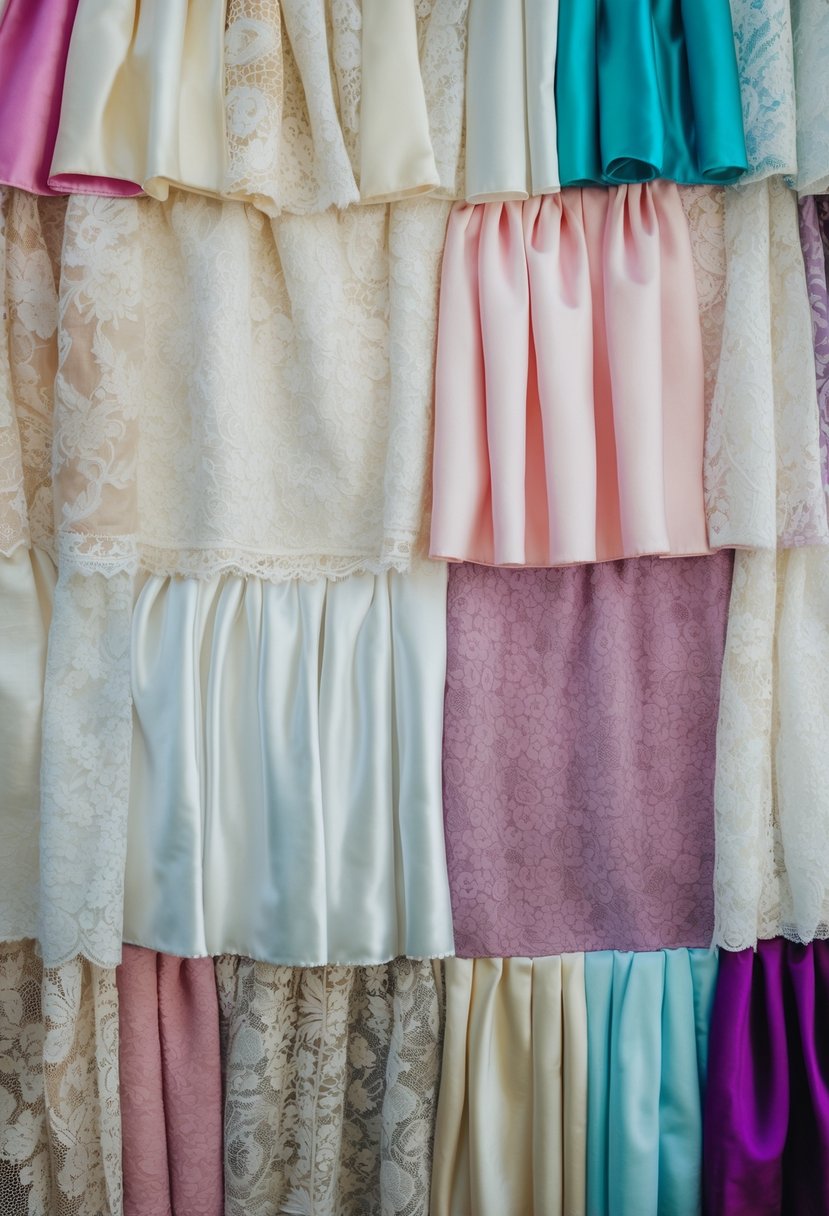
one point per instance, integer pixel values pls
(582, 711)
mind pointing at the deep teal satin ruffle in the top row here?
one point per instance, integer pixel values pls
(648, 89)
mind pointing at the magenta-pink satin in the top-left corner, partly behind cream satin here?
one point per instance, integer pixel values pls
(35, 43)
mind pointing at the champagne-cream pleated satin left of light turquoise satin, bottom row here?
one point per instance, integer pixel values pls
(512, 1114)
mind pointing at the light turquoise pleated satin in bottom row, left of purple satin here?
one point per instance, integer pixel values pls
(648, 1018)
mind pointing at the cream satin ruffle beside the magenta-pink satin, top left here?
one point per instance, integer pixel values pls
(144, 98)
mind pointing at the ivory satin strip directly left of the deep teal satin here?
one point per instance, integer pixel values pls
(511, 100)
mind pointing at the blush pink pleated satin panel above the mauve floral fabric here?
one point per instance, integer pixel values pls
(569, 392)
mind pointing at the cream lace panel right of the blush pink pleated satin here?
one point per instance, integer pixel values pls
(763, 455)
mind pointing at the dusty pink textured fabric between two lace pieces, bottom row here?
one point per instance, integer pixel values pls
(171, 1085)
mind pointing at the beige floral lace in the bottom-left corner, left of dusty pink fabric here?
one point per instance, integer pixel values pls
(60, 1124)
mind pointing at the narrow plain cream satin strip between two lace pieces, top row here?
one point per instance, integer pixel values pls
(397, 160)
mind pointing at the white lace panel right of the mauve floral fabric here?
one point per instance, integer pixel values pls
(772, 789)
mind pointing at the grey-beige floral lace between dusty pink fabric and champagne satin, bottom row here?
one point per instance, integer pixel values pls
(331, 1080)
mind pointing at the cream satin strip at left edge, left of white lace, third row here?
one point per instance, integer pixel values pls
(27, 584)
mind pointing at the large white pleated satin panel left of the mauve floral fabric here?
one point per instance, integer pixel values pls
(286, 798)
